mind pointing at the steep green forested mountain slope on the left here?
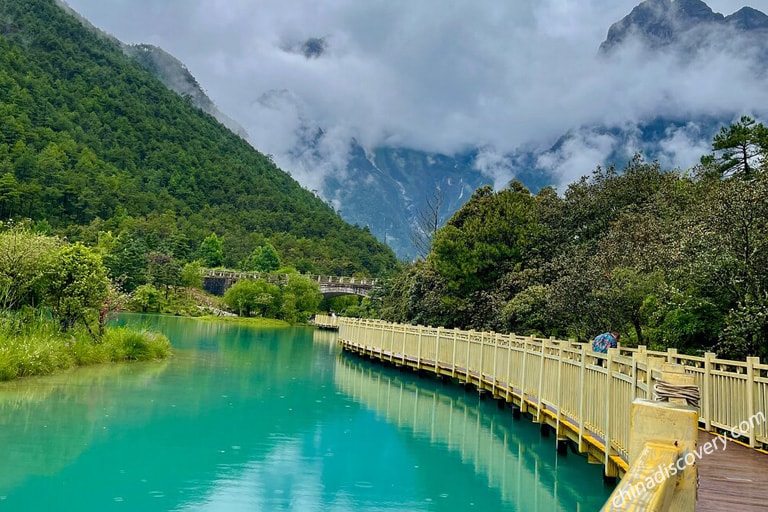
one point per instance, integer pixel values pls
(95, 147)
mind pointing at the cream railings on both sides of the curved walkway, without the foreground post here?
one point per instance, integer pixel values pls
(585, 397)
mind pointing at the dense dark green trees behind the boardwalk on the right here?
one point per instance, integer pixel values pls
(667, 258)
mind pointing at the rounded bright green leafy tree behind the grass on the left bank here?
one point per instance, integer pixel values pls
(77, 284)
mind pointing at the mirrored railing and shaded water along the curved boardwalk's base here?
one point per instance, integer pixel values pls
(502, 451)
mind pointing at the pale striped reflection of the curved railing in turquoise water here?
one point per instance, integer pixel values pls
(493, 448)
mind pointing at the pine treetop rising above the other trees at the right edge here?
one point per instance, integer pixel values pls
(738, 150)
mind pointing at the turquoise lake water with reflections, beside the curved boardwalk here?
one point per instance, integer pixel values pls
(272, 420)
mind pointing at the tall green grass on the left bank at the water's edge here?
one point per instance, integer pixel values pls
(31, 344)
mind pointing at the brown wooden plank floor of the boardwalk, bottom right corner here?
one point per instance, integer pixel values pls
(733, 479)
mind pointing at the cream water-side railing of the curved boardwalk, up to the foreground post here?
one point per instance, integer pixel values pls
(583, 396)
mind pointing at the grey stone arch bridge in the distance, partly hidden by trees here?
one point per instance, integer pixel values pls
(218, 281)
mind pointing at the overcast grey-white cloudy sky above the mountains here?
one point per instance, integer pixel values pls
(438, 75)
